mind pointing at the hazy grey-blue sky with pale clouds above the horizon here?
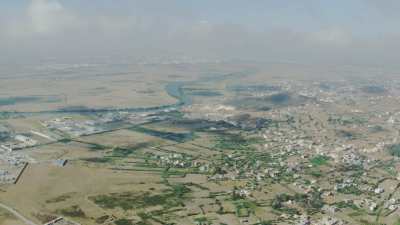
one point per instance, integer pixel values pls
(339, 31)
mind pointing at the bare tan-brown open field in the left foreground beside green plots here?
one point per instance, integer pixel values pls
(42, 183)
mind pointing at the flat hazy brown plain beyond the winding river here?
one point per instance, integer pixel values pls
(98, 87)
